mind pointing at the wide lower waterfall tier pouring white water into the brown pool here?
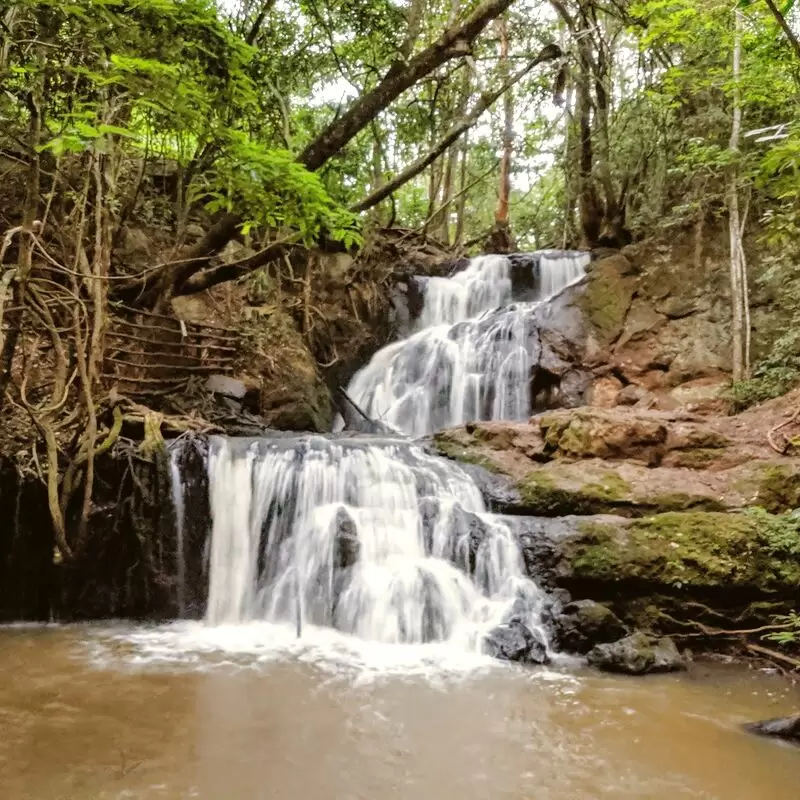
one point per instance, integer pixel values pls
(372, 537)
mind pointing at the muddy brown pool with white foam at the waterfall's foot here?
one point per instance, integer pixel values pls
(88, 712)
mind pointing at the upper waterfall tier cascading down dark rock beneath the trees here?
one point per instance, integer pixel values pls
(472, 352)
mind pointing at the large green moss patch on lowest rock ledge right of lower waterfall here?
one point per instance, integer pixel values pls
(700, 549)
